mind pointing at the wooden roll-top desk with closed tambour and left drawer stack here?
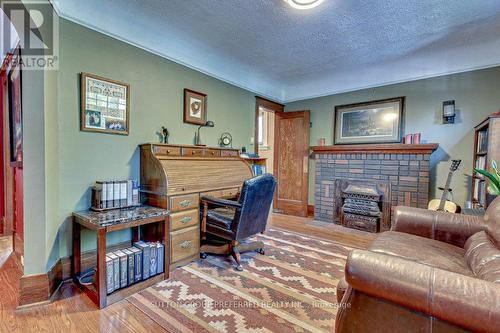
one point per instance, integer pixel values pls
(174, 177)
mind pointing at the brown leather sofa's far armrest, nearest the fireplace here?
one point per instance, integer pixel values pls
(451, 228)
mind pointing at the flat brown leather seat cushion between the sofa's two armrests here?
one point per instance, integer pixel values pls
(422, 250)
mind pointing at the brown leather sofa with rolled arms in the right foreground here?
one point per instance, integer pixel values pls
(433, 272)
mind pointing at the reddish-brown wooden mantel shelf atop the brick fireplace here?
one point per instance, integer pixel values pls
(388, 148)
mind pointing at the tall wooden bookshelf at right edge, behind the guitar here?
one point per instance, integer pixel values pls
(486, 149)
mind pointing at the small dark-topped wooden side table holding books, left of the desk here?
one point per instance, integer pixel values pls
(150, 223)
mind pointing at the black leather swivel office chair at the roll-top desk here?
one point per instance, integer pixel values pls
(227, 223)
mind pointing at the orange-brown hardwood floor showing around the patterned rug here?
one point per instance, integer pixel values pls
(73, 311)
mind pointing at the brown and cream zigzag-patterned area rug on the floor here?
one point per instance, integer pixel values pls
(290, 289)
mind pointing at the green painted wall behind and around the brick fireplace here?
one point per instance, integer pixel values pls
(477, 94)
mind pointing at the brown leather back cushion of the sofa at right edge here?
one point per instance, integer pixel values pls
(483, 257)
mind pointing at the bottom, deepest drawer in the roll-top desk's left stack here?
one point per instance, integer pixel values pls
(185, 243)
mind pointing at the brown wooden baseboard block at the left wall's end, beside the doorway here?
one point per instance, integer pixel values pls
(33, 289)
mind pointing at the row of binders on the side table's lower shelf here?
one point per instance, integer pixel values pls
(128, 266)
